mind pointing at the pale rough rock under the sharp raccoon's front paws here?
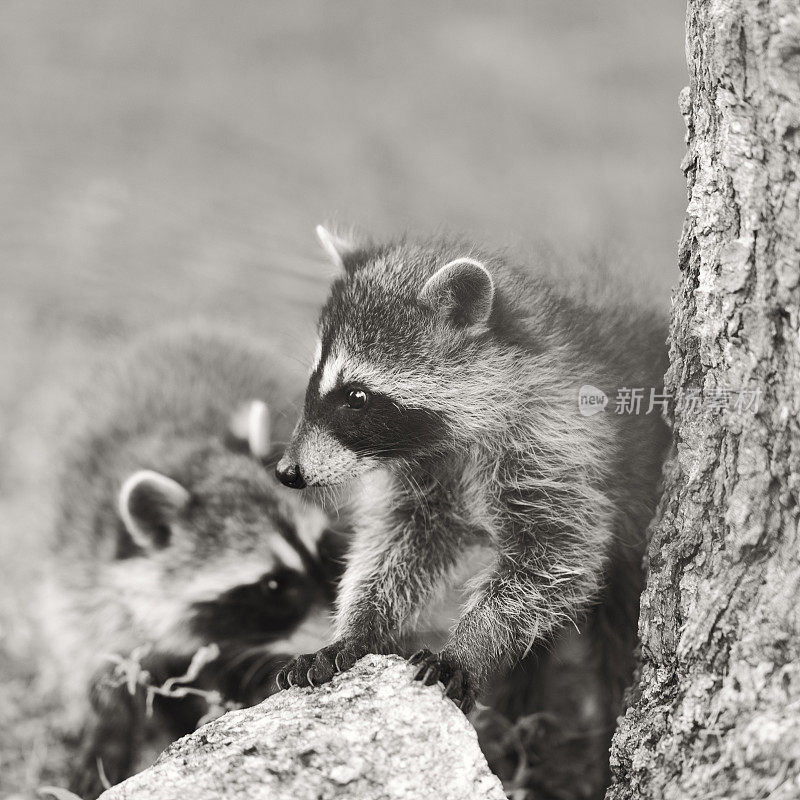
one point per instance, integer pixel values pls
(371, 733)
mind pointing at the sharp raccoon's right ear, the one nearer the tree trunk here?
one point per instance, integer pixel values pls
(461, 291)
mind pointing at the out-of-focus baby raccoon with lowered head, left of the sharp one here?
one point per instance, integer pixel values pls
(170, 536)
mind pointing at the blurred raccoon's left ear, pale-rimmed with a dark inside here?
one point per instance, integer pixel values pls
(149, 503)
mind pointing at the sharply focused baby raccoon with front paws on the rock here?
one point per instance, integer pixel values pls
(448, 383)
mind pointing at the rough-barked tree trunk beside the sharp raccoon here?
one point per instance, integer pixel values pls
(716, 713)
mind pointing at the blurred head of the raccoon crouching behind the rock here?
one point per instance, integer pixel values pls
(229, 559)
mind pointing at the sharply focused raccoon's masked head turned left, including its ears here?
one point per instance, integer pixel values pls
(397, 345)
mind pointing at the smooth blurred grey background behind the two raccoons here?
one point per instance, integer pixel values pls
(169, 160)
